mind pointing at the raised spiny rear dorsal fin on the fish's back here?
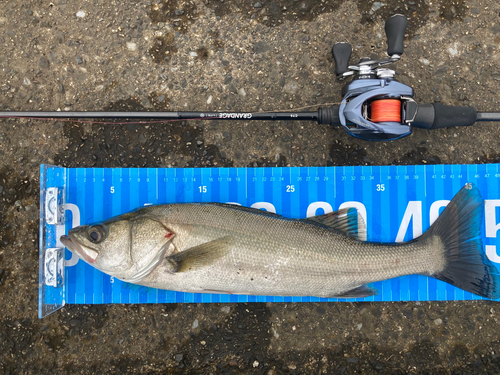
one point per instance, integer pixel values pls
(346, 220)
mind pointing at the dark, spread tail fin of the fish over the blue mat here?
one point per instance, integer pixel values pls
(459, 230)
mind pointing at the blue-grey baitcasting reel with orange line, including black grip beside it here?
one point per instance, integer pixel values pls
(377, 107)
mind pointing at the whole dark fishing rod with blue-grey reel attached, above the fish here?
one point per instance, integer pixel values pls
(375, 106)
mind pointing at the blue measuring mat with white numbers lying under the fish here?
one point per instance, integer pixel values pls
(398, 203)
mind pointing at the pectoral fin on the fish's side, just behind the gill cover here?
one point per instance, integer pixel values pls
(200, 256)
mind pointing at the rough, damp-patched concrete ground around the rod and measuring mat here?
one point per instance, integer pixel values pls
(230, 55)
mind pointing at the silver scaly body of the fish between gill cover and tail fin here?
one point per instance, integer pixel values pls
(271, 255)
